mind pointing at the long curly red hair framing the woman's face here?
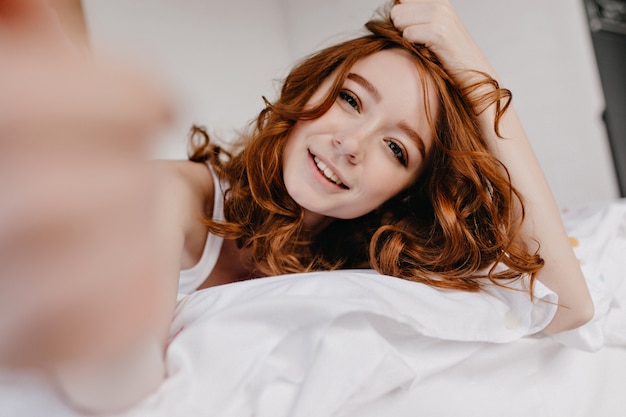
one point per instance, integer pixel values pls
(451, 229)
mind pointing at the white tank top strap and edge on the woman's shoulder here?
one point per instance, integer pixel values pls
(190, 279)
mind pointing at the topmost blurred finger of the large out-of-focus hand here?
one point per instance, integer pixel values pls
(72, 93)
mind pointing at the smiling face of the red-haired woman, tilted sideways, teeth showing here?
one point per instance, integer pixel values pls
(369, 146)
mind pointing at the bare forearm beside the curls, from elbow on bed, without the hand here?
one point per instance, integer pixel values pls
(542, 225)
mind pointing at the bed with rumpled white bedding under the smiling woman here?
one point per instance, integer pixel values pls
(354, 343)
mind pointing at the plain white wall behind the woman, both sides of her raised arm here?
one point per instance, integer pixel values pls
(221, 56)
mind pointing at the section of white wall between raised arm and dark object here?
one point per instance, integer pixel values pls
(542, 50)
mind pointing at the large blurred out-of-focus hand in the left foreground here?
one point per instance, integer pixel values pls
(78, 246)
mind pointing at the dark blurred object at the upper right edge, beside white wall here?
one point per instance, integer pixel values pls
(607, 23)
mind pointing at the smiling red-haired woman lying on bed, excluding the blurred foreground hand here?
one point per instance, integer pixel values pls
(397, 151)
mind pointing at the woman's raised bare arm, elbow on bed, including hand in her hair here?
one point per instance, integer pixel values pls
(436, 24)
